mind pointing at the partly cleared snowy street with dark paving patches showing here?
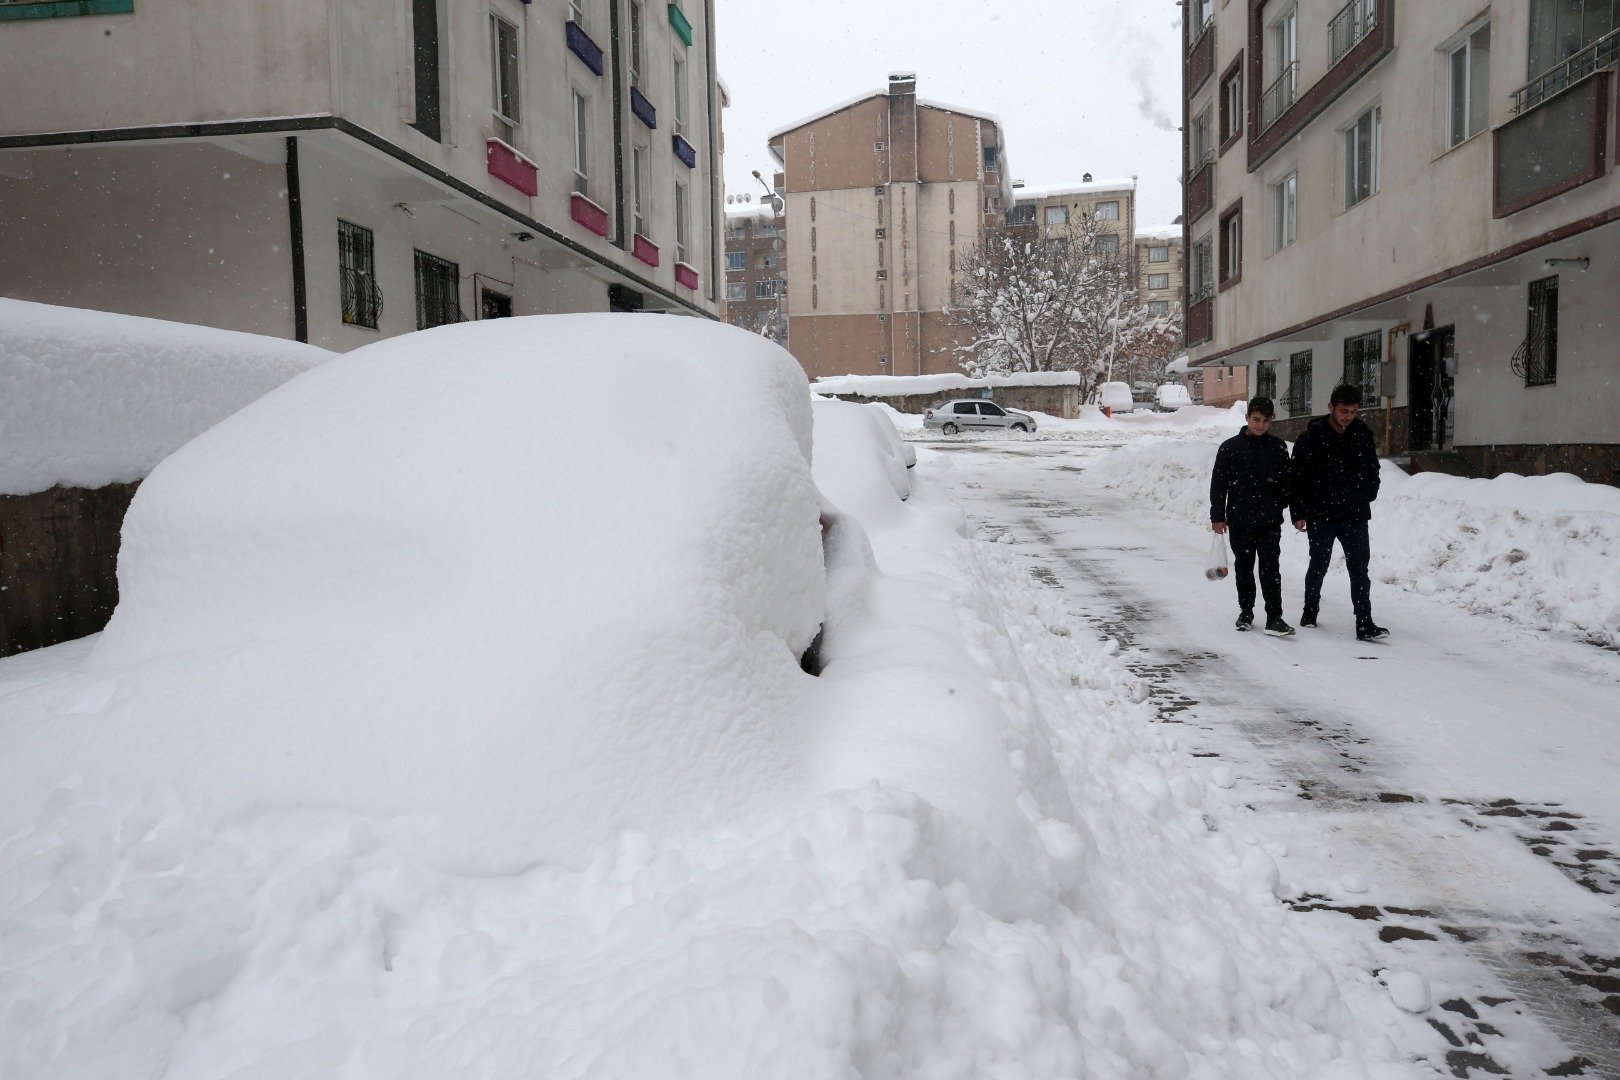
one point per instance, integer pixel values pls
(1443, 806)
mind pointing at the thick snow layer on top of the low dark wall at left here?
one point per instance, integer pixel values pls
(96, 399)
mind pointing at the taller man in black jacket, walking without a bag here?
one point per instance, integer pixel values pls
(1336, 482)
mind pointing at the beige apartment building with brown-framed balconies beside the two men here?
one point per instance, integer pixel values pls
(1415, 198)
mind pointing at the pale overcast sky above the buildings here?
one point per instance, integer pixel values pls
(1083, 87)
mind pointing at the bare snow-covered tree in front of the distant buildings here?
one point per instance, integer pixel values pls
(1065, 304)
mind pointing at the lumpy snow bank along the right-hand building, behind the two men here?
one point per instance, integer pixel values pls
(1535, 550)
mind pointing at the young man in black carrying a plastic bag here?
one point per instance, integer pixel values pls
(1250, 491)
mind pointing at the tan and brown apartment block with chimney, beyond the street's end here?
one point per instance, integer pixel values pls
(884, 197)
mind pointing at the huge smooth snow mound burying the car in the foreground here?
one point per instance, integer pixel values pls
(427, 580)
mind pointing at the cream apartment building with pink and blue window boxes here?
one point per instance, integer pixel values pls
(343, 171)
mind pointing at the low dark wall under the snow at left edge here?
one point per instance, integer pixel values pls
(59, 564)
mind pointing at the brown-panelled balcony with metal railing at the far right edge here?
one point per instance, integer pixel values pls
(1553, 147)
